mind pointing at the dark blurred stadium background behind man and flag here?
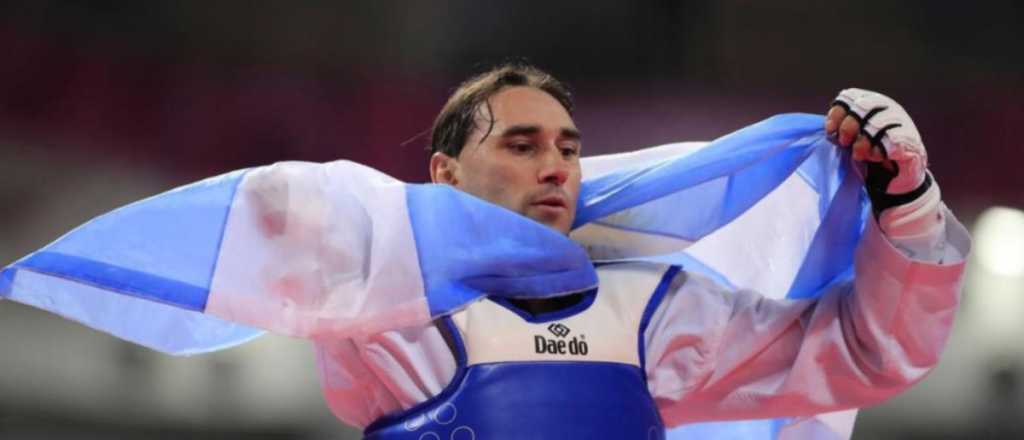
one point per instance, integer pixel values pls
(104, 103)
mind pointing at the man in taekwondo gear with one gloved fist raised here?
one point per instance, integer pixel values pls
(522, 369)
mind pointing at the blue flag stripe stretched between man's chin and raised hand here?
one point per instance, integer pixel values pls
(723, 181)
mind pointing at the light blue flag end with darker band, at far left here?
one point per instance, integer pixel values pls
(122, 272)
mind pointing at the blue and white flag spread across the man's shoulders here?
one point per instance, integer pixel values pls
(340, 250)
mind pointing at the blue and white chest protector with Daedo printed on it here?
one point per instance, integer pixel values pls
(574, 374)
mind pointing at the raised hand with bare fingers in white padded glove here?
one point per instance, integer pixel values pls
(881, 134)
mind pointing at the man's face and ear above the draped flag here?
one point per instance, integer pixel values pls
(529, 162)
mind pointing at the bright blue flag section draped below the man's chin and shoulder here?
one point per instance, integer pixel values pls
(468, 248)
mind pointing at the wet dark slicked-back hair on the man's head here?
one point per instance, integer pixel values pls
(458, 118)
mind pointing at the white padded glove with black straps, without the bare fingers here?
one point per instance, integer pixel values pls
(890, 128)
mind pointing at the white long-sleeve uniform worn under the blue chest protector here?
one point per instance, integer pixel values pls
(720, 355)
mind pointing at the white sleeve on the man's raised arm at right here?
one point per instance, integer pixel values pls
(715, 355)
